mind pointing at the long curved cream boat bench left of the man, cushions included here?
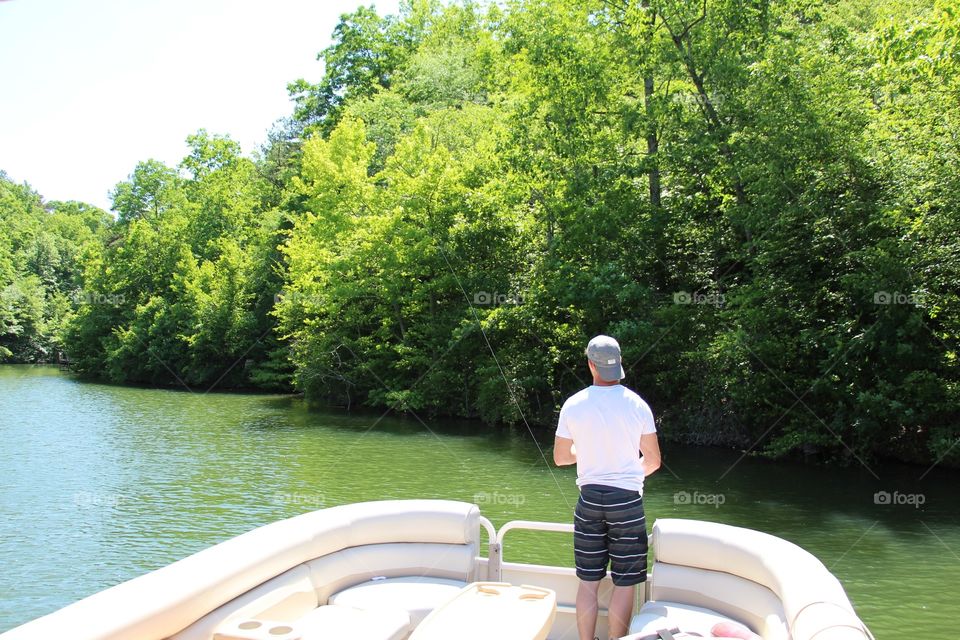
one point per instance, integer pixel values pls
(267, 582)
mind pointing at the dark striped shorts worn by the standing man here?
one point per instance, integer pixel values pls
(609, 527)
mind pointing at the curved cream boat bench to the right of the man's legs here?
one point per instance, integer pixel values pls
(704, 573)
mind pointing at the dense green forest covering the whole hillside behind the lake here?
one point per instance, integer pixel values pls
(758, 198)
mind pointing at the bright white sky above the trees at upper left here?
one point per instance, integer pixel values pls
(90, 88)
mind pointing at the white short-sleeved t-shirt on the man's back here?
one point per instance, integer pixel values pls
(605, 424)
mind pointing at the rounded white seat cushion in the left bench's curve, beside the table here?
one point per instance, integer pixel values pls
(416, 595)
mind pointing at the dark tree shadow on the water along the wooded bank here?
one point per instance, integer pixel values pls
(904, 499)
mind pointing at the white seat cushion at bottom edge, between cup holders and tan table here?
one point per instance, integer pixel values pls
(337, 621)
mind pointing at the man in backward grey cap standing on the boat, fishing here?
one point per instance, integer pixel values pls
(601, 429)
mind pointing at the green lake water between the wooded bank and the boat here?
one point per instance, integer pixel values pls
(100, 483)
